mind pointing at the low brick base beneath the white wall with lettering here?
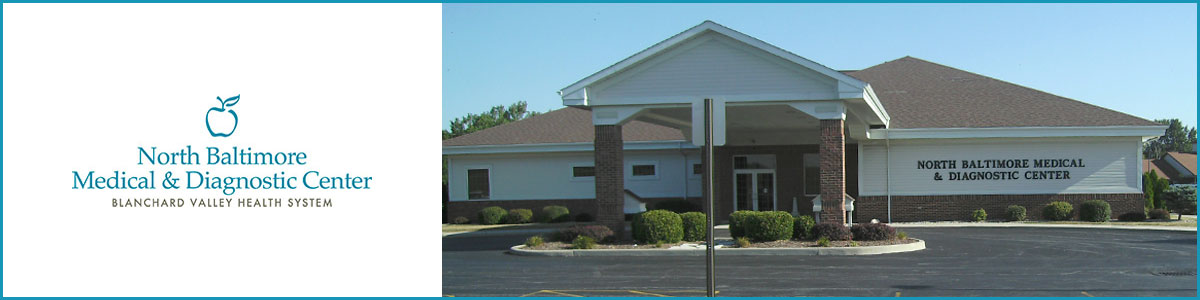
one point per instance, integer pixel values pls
(959, 208)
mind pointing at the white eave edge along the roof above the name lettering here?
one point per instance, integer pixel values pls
(1017, 133)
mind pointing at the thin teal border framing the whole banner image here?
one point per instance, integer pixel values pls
(457, 2)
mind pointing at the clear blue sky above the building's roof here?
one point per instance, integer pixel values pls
(1137, 59)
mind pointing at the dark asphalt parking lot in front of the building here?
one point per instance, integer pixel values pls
(957, 262)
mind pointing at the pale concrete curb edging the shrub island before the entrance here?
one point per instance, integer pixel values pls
(699, 253)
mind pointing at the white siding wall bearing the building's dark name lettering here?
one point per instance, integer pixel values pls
(1112, 166)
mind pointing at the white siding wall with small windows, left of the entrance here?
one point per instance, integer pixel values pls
(549, 176)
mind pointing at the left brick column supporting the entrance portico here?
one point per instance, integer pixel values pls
(610, 178)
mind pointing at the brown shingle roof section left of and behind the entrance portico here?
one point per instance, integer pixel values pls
(566, 125)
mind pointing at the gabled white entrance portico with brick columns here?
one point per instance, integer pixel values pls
(777, 117)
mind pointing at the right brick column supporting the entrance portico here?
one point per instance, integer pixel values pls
(833, 171)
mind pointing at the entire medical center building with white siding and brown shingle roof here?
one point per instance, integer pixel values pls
(905, 141)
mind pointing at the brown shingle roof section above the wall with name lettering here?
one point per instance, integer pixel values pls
(919, 94)
